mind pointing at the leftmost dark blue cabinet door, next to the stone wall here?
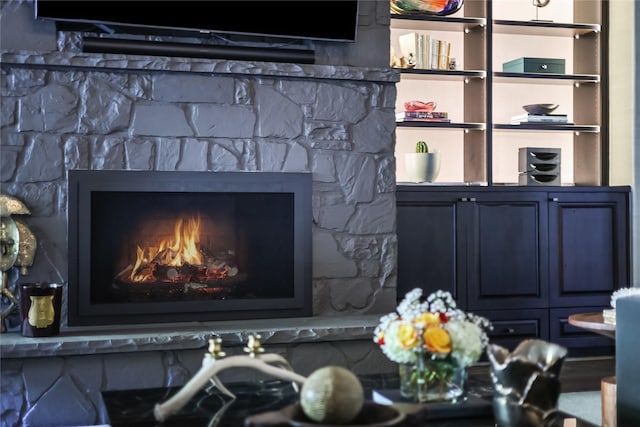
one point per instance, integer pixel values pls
(428, 244)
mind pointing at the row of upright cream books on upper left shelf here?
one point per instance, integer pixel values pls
(425, 52)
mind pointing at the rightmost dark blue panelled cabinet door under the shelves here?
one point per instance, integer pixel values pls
(588, 247)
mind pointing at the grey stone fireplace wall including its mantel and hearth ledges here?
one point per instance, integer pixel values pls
(62, 109)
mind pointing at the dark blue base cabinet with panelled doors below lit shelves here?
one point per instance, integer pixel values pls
(524, 257)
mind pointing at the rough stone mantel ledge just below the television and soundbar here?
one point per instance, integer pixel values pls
(107, 62)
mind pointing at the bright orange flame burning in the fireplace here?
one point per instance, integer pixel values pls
(181, 249)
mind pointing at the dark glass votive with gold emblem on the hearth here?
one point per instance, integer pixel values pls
(40, 306)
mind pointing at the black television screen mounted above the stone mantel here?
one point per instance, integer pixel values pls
(332, 20)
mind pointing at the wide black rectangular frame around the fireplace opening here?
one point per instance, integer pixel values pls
(82, 183)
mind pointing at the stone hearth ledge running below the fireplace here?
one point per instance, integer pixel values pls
(85, 340)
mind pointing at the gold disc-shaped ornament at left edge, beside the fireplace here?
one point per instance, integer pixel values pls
(17, 248)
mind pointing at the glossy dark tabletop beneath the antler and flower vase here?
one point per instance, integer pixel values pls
(272, 403)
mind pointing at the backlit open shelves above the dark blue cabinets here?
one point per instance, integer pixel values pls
(480, 144)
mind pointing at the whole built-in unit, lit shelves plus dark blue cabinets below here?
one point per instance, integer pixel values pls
(512, 249)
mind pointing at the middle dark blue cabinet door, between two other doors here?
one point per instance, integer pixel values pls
(507, 241)
